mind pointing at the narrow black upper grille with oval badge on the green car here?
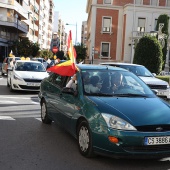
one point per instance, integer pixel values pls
(155, 128)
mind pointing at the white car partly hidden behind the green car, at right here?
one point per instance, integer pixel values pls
(162, 87)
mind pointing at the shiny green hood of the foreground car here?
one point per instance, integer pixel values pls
(137, 111)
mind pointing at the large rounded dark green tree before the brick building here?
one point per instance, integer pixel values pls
(148, 52)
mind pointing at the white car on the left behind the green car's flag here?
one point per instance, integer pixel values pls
(26, 75)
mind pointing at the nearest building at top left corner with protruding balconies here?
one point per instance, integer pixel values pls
(12, 26)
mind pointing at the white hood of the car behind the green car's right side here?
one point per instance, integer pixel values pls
(153, 80)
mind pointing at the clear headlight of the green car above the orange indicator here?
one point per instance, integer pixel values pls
(117, 123)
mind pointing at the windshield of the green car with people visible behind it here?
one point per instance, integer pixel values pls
(114, 83)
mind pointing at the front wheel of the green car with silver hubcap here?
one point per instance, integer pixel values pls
(85, 140)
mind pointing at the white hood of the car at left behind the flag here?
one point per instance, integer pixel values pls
(31, 75)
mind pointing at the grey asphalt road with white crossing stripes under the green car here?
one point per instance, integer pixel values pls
(27, 144)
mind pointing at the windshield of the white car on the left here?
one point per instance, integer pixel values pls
(29, 66)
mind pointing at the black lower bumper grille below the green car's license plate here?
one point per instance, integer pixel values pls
(154, 148)
